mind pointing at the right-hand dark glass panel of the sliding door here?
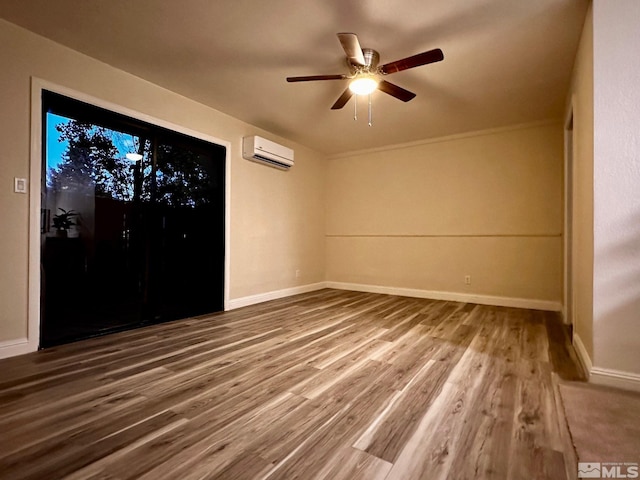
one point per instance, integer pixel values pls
(190, 204)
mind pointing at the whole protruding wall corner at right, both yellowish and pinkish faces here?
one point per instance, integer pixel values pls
(605, 98)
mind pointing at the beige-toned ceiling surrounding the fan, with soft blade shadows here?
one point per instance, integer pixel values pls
(506, 61)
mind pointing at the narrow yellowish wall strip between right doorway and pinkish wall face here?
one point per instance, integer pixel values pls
(581, 99)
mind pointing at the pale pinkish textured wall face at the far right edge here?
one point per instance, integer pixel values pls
(616, 189)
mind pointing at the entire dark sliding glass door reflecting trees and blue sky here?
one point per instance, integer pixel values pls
(132, 223)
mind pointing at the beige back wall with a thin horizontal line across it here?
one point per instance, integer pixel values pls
(423, 216)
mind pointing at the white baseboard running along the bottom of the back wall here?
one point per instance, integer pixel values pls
(451, 296)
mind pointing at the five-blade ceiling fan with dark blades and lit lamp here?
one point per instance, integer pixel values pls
(364, 71)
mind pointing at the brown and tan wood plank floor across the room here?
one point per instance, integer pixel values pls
(332, 384)
